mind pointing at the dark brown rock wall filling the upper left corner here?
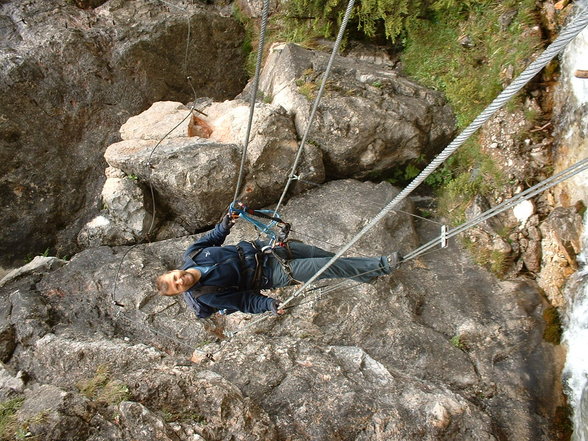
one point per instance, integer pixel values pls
(69, 78)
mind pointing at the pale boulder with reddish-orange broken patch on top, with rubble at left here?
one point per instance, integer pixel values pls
(194, 176)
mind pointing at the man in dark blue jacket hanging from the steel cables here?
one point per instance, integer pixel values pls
(216, 278)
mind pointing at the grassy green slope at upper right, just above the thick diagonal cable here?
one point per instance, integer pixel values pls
(469, 49)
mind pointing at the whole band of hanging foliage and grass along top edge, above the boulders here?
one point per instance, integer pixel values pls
(465, 49)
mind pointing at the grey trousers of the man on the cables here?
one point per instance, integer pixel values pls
(304, 261)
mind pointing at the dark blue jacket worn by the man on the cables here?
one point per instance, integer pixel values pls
(234, 293)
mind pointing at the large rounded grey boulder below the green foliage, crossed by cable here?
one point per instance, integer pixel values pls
(370, 118)
